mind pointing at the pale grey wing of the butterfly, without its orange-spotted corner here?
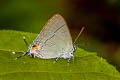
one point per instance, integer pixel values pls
(55, 38)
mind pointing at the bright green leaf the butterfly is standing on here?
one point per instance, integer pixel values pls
(86, 66)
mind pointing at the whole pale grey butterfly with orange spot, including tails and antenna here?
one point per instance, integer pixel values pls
(54, 41)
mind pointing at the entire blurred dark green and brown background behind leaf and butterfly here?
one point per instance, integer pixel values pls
(101, 19)
